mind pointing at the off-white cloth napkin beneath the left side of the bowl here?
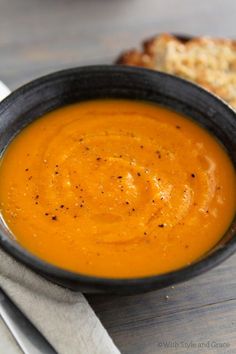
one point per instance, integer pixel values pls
(64, 317)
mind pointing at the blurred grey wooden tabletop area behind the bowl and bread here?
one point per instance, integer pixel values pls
(37, 37)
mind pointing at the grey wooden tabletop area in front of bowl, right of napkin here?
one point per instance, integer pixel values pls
(200, 310)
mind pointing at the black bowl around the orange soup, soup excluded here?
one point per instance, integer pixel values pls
(79, 84)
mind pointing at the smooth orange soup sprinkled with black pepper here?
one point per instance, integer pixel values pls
(116, 188)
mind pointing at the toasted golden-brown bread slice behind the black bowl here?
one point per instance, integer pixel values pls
(209, 62)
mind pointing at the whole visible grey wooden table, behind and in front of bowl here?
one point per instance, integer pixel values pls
(40, 36)
